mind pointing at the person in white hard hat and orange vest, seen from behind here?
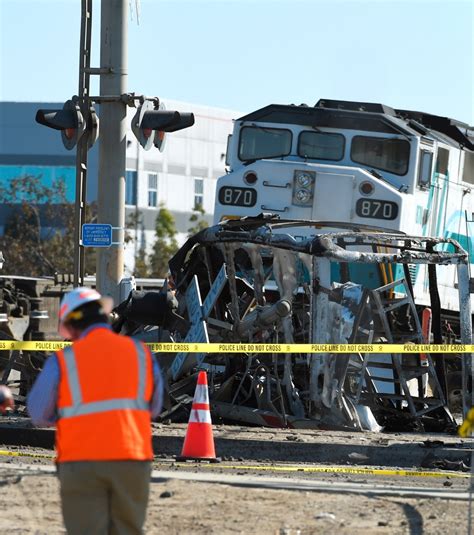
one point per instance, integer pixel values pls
(101, 393)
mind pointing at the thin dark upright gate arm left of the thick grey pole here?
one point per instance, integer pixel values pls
(82, 146)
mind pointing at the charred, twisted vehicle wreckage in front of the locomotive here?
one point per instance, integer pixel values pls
(259, 284)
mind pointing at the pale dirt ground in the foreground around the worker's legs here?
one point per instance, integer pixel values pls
(30, 505)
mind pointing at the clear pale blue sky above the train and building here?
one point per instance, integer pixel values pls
(246, 54)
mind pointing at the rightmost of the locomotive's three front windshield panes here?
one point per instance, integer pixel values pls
(390, 155)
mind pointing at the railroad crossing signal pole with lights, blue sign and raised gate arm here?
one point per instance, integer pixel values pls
(79, 125)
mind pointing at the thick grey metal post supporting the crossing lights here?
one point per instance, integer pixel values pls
(112, 150)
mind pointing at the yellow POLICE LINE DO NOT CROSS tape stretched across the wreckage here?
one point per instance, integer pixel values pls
(191, 347)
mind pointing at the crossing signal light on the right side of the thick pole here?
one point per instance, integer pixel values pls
(150, 125)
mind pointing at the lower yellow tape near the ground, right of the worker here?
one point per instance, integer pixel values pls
(339, 470)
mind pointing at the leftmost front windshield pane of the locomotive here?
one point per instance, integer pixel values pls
(258, 142)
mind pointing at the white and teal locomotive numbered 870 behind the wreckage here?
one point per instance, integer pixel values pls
(360, 164)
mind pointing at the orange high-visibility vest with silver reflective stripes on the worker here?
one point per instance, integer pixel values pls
(104, 394)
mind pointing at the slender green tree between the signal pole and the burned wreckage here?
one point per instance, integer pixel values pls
(165, 245)
